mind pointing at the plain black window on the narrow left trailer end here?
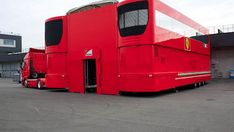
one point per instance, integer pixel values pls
(53, 32)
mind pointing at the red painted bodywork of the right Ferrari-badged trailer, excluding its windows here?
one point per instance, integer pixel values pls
(152, 61)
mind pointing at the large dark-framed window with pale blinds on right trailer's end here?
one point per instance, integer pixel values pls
(133, 18)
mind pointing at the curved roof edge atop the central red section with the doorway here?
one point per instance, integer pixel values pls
(92, 5)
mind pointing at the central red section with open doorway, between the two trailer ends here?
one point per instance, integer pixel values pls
(92, 48)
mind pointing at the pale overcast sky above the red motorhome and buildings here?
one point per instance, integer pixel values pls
(27, 17)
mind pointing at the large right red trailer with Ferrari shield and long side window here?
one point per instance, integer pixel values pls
(159, 48)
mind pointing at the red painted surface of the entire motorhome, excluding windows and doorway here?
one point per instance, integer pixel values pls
(143, 63)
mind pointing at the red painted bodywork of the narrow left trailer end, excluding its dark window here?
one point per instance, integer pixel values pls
(56, 74)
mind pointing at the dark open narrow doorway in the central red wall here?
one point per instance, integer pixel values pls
(90, 75)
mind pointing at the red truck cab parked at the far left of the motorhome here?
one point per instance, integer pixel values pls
(34, 69)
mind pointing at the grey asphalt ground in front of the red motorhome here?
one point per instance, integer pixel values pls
(206, 109)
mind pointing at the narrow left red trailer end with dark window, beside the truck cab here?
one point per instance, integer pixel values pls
(56, 52)
